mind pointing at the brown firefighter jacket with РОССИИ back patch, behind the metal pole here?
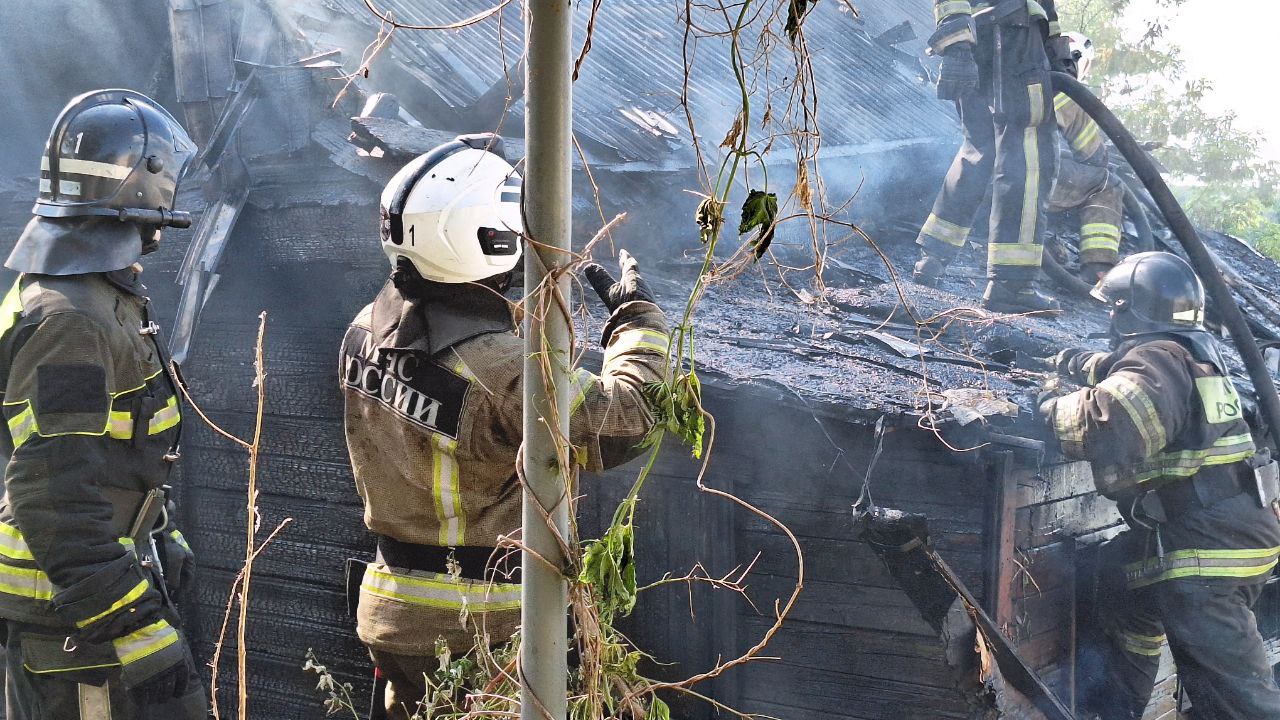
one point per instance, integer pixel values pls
(435, 423)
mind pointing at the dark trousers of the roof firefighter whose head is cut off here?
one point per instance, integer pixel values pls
(1011, 149)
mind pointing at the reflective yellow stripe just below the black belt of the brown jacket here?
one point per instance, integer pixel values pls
(433, 590)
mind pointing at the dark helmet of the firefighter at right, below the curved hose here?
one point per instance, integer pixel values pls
(1153, 293)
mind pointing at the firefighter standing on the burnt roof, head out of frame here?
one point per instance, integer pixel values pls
(996, 61)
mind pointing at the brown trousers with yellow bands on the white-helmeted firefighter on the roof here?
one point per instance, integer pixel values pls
(1099, 197)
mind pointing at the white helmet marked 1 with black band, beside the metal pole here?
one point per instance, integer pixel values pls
(455, 212)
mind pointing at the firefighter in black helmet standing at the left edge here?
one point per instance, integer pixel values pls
(89, 562)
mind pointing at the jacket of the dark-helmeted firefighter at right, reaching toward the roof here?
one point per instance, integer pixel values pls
(1158, 420)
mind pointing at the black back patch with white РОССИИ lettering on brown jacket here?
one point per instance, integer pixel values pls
(406, 382)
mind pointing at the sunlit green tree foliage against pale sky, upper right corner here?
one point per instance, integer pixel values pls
(1214, 166)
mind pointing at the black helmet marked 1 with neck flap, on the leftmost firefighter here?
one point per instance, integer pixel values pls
(108, 181)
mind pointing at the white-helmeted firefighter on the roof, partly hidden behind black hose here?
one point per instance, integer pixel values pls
(1085, 183)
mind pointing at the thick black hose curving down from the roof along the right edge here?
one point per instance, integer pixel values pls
(1186, 234)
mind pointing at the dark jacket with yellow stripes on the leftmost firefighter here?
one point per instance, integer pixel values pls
(93, 426)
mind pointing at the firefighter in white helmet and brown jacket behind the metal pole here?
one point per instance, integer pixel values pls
(432, 373)
